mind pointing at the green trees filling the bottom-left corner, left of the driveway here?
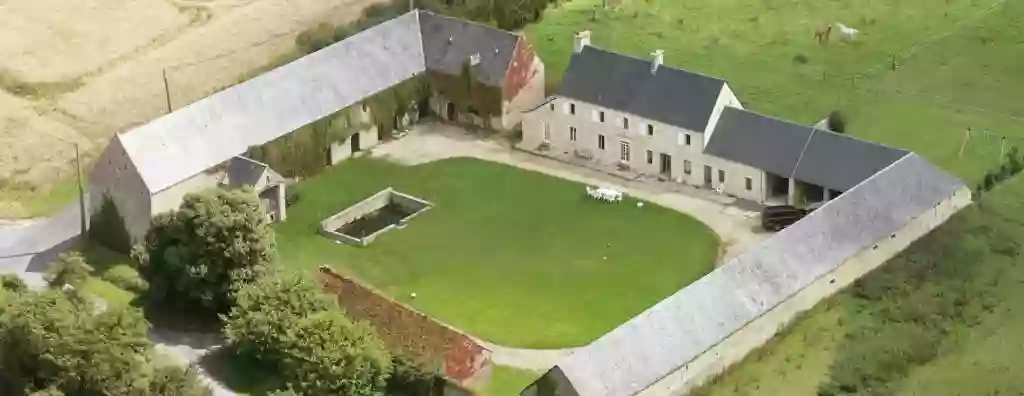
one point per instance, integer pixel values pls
(52, 345)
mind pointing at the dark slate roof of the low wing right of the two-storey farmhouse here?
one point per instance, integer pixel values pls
(827, 159)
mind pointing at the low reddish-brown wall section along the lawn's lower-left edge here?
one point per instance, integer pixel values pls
(411, 333)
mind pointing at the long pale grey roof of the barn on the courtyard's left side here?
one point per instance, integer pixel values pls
(212, 130)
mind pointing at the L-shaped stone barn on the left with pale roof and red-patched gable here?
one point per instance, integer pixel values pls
(150, 169)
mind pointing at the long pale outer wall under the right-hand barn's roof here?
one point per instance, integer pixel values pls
(756, 334)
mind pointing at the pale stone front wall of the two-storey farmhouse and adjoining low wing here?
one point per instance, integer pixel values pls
(667, 140)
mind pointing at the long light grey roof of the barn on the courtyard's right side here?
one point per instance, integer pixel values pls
(679, 329)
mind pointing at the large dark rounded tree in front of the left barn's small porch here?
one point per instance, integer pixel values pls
(194, 256)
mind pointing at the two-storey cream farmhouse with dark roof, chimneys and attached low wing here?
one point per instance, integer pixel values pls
(646, 118)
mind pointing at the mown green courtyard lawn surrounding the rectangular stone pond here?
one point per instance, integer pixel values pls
(511, 256)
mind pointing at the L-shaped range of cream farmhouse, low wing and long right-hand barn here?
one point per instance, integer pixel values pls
(877, 201)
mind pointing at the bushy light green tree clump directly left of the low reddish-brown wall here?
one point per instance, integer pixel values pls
(284, 322)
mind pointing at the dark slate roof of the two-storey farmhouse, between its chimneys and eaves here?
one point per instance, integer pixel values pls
(615, 81)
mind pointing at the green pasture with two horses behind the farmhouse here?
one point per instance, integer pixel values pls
(958, 63)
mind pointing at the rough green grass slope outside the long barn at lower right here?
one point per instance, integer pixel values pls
(977, 355)
